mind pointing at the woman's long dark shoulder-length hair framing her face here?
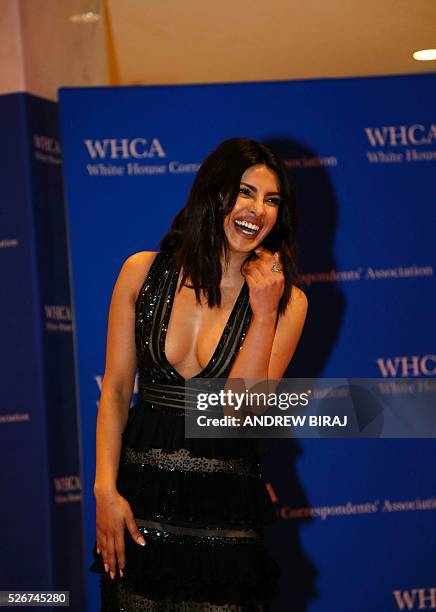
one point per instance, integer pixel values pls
(197, 234)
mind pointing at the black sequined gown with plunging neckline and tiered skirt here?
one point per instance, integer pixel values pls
(200, 503)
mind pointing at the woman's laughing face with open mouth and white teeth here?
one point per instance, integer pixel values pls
(255, 211)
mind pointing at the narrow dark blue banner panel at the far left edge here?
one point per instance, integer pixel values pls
(41, 520)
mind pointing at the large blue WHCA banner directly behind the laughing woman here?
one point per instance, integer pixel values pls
(356, 528)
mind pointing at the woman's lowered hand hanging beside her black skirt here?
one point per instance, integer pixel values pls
(113, 516)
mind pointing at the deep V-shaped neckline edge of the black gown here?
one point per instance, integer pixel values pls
(174, 281)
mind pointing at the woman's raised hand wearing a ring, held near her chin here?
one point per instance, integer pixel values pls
(266, 286)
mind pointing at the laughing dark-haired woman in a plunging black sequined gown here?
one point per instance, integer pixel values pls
(179, 521)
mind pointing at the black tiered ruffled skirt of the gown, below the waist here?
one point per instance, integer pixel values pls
(201, 505)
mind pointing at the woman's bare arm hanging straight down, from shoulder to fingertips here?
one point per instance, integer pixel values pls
(113, 513)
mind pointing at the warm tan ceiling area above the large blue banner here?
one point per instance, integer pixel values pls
(198, 41)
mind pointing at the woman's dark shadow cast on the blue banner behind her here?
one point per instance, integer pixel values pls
(317, 221)
